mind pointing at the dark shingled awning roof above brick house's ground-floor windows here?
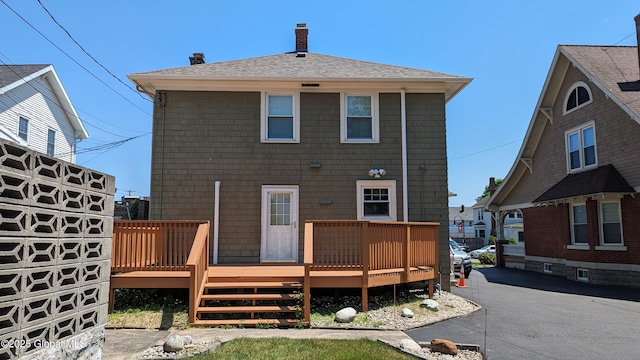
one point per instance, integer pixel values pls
(605, 179)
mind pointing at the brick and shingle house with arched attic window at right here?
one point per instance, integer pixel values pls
(577, 174)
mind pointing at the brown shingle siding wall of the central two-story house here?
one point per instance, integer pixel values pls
(201, 137)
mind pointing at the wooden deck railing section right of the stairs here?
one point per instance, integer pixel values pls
(368, 246)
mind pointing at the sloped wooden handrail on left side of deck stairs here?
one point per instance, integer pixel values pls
(198, 265)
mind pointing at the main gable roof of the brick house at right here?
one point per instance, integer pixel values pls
(612, 69)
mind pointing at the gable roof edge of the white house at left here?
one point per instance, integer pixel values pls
(12, 76)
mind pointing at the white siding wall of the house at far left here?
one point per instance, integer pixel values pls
(37, 103)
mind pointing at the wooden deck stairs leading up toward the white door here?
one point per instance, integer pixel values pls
(251, 301)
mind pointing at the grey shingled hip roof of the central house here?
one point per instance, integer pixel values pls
(297, 68)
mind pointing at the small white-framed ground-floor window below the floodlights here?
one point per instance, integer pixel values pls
(376, 200)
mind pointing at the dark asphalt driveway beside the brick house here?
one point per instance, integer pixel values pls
(527, 315)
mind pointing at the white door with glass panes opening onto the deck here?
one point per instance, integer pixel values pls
(279, 223)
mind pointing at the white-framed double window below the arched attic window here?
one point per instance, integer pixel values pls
(581, 147)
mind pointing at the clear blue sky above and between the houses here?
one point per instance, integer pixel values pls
(505, 46)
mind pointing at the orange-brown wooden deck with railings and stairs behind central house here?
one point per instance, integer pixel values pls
(337, 255)
